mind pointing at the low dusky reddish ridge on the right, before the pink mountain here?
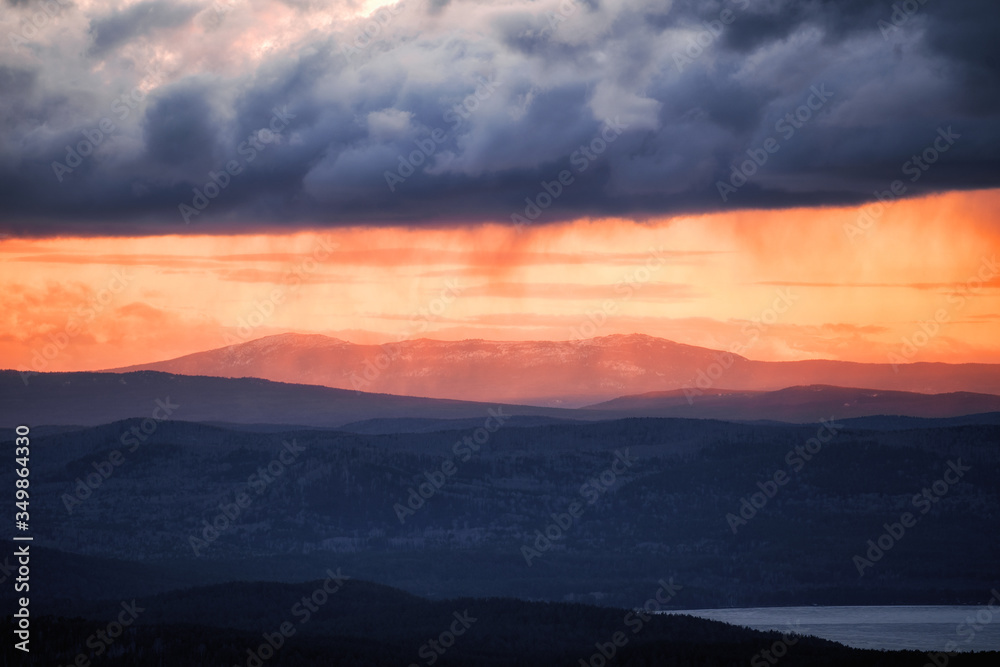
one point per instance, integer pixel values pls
(799, 404)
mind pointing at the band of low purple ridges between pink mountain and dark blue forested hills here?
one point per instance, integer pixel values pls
(89, 399)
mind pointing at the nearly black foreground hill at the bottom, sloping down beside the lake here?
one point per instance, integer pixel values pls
(362, 623)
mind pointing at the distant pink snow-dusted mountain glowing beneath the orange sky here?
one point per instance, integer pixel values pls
(554, 373)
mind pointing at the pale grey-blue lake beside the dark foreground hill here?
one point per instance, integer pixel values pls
(921, 628)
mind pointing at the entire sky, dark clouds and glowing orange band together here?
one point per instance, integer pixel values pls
(178, 176)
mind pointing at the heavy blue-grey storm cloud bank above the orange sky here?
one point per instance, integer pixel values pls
(505, 99)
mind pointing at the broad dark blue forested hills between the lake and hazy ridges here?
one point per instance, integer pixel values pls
(740, 514)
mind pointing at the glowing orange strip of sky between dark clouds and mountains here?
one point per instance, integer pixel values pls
(855, 293)
